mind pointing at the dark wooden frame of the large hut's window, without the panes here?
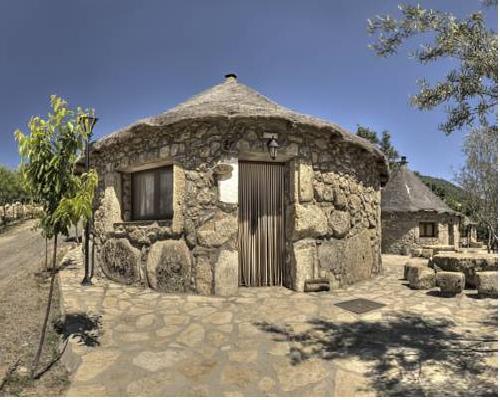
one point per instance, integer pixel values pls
(156, 201)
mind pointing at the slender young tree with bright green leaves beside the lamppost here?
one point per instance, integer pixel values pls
(48, 157)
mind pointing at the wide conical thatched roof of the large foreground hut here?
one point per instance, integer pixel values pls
(232, 99)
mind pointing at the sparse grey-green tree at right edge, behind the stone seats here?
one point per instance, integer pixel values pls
(479, 179)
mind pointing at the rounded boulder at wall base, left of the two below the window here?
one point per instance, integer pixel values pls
(120, 261)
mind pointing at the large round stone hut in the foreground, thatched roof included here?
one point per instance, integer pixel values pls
(231, 189)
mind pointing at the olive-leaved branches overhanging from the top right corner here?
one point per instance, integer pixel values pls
(470, 90)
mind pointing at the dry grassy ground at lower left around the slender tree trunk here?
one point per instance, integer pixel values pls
(23, 299)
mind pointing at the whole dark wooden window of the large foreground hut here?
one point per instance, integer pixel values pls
(152, 194)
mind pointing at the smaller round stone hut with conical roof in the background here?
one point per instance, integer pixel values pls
(413, 216)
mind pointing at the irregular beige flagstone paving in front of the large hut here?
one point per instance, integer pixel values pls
(276, 342)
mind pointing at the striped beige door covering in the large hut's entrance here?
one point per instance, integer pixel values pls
(261, 219)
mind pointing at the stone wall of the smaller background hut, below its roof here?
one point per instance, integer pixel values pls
(401, 233)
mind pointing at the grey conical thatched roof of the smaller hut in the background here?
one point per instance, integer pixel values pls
(406, 192)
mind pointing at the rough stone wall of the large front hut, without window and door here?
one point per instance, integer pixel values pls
(333, 210)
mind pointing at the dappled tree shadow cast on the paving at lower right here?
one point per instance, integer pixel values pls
(405, 355)
